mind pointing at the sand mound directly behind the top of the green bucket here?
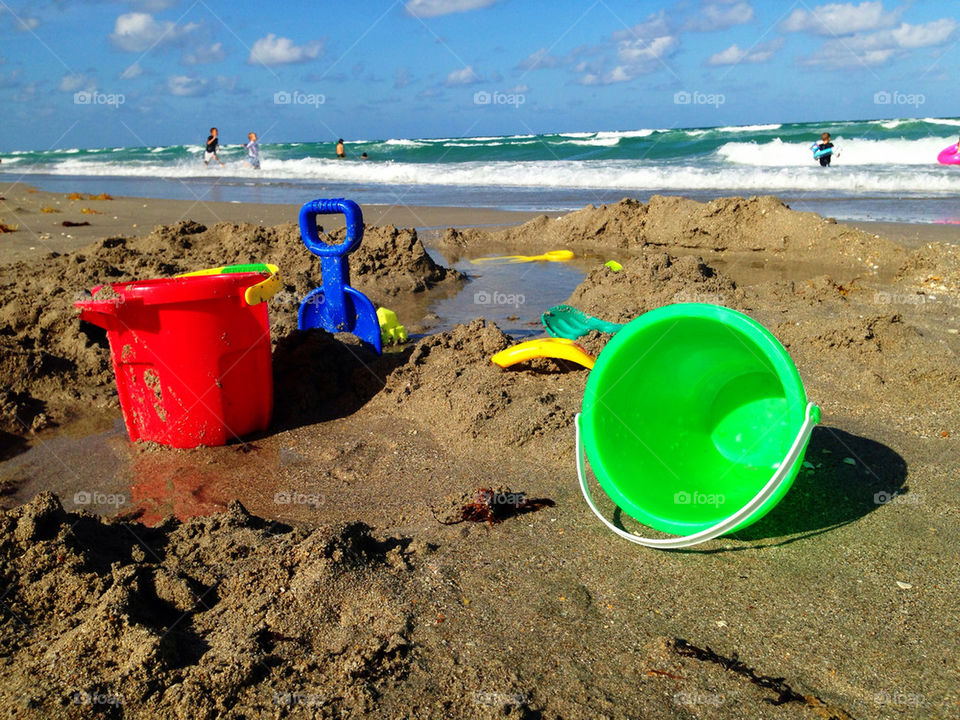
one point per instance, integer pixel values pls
(649, 281)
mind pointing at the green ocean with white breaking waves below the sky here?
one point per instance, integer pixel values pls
(885, 169)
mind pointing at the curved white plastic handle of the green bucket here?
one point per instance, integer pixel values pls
(783, 472)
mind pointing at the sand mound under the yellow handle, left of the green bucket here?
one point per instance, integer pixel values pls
(449, 383)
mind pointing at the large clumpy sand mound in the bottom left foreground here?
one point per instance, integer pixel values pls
(218, 614)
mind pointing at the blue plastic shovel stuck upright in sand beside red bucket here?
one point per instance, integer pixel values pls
(337, 307)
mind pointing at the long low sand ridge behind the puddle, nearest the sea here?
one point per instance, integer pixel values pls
(738, 224)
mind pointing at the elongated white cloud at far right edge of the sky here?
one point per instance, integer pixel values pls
(880, 47)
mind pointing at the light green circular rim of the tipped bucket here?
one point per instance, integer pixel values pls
(749, 329)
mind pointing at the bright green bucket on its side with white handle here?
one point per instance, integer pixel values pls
(695, 422)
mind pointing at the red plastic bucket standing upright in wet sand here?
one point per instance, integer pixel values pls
(191, 357)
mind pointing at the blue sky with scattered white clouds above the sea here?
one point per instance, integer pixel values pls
(157, 72)
